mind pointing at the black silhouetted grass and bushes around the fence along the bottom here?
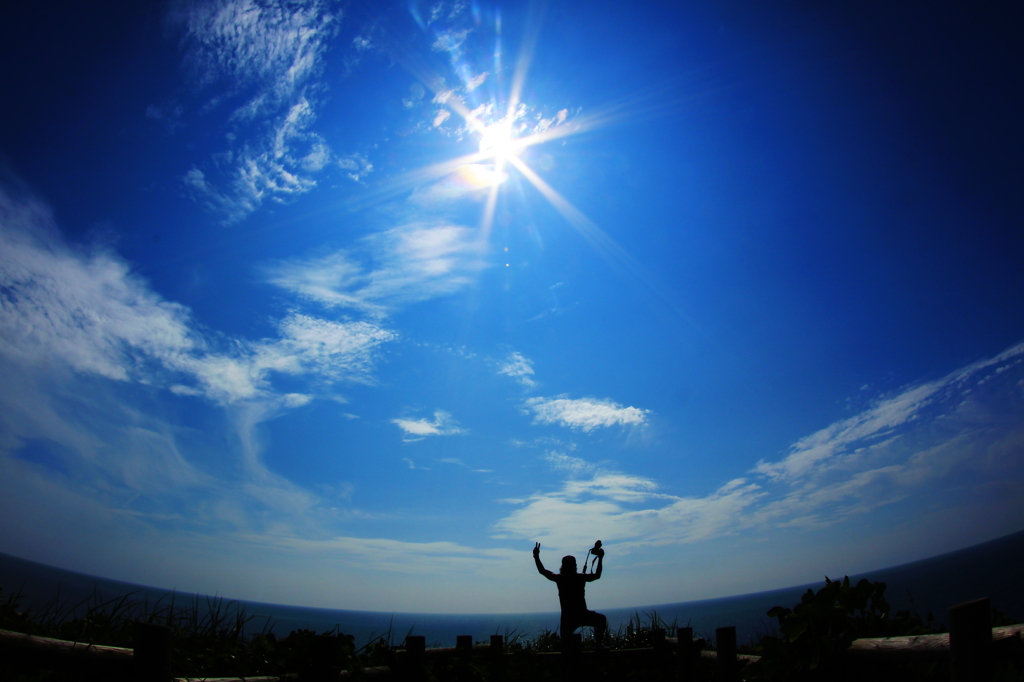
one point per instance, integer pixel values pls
(214, 637)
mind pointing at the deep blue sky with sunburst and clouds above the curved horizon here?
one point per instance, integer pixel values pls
(348, 306)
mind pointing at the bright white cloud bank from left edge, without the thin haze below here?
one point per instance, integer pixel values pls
(84, 309)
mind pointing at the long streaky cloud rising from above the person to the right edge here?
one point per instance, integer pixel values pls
(933, 442)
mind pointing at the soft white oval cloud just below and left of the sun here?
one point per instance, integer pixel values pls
(411, 264)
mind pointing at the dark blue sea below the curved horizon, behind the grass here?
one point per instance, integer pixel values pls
(992, 570)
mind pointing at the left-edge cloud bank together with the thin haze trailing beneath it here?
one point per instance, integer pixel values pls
(84, 342)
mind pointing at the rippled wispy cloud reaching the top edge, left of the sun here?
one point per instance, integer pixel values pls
(270, 55)
